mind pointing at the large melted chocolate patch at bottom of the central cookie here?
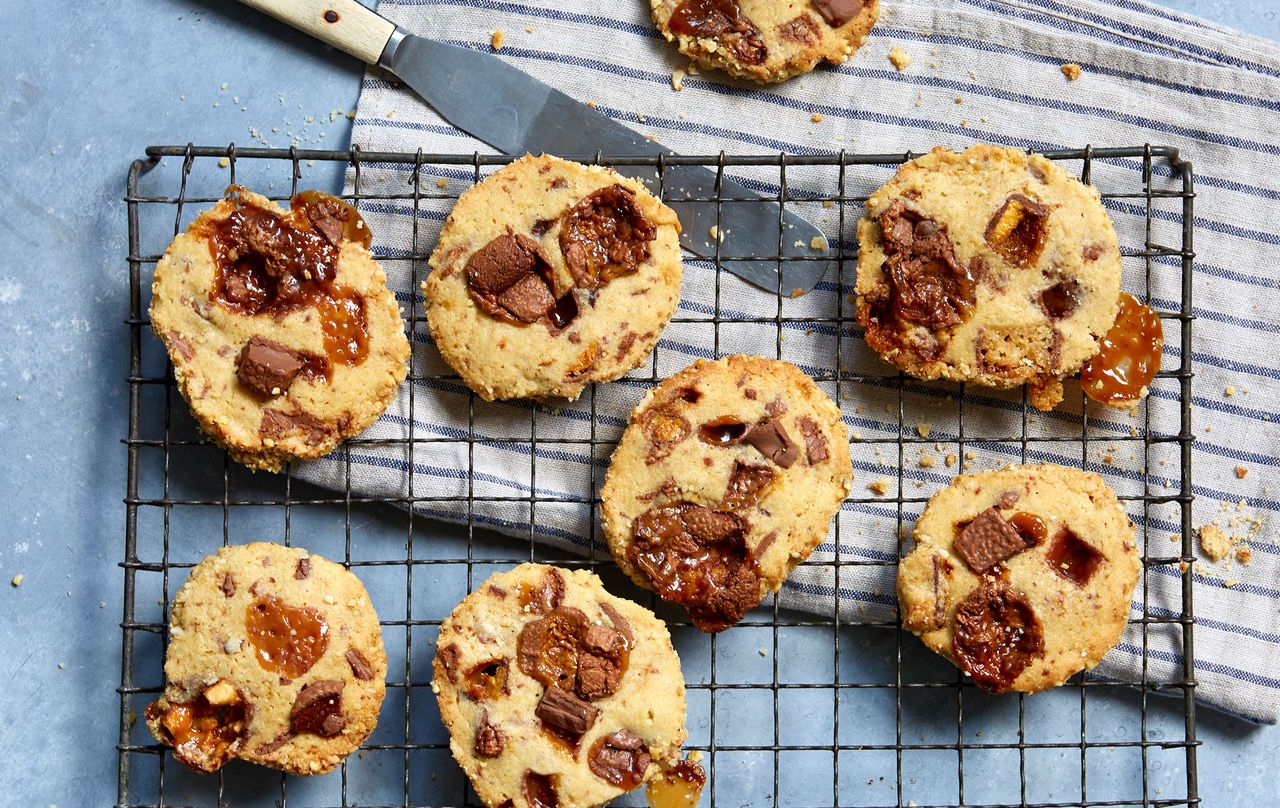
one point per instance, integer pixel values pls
(698, 559)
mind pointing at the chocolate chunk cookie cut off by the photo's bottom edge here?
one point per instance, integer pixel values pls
(557, 693)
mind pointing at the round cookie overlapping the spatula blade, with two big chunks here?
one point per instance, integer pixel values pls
(550, 276)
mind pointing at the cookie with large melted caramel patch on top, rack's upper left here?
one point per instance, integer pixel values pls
(284, 336)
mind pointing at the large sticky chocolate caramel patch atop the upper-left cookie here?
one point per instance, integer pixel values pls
(272, 264)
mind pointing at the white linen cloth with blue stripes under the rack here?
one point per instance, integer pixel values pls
(981, 71)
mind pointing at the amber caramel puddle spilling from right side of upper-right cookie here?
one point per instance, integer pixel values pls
(1130, 357)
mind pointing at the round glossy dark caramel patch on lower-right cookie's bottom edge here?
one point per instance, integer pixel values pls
(998, 636)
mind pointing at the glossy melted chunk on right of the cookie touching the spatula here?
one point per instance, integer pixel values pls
(605, 236)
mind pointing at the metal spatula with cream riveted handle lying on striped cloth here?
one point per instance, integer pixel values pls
(515, 113)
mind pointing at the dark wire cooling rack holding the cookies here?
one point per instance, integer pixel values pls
(788, 709)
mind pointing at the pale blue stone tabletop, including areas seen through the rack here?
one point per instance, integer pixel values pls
(83, 92)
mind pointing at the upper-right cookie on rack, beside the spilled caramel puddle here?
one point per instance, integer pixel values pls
(990, 266)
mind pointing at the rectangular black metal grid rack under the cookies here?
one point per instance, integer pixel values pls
(167, 480)
